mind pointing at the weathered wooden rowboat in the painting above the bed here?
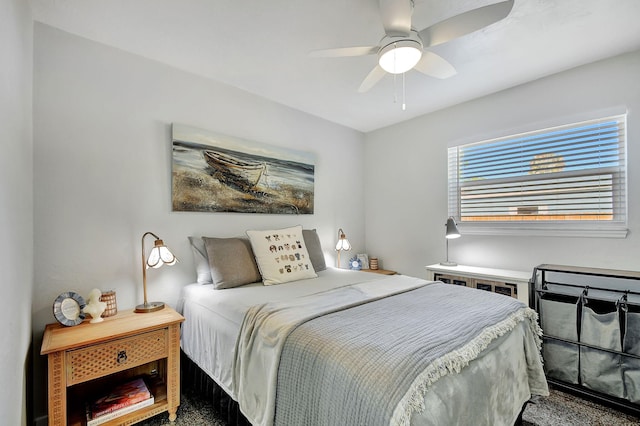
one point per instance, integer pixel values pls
(233, 170)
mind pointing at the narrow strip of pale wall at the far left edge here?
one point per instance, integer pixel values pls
(16, 207)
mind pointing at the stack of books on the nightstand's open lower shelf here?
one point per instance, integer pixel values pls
(120, 400)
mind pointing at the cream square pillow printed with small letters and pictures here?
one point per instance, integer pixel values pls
(282, 255)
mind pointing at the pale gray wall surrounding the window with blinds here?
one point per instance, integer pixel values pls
(406, 173)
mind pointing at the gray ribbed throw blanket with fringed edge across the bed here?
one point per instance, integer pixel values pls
(372, 364)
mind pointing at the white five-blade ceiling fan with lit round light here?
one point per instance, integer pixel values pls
(403, 48)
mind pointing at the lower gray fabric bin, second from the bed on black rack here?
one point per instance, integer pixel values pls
(601, 371)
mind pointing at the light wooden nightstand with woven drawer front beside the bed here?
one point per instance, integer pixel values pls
(88, 359)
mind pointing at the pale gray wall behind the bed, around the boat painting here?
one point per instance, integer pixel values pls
(102, 139)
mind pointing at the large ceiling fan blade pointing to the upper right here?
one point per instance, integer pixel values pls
(465, 23)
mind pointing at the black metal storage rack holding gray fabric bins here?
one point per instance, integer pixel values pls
(590, 318)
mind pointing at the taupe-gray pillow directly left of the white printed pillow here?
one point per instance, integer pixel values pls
(231, 262)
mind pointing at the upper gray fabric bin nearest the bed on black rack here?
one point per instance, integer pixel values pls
(559, 316)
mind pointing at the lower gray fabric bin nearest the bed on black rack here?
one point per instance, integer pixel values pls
(561, 360)
